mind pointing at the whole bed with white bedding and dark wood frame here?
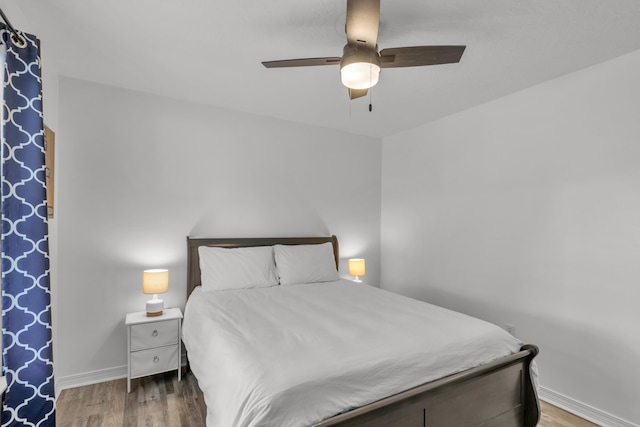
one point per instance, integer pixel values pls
(307, 354)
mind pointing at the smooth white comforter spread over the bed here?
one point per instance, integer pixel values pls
(295, 355)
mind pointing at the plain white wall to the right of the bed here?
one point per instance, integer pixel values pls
(526, 210)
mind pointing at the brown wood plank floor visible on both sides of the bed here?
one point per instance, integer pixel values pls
(163, 401)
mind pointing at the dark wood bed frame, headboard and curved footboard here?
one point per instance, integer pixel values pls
(500, 393)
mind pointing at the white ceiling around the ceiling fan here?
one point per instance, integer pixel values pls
(209, 51)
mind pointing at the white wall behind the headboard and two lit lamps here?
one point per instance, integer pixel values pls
(138, 173)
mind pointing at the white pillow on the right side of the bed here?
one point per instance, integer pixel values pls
(305, 263)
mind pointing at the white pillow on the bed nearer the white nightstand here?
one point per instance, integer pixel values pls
(237, 268)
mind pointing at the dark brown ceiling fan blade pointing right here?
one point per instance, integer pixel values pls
(420, 55)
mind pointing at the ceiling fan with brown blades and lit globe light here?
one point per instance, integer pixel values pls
(361, 62)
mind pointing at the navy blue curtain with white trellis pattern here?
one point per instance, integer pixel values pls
(26, 300)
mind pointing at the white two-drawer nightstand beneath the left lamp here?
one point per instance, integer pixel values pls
(153, 344)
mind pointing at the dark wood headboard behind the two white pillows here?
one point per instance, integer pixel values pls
(193, 243)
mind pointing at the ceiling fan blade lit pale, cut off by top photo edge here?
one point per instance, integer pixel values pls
(363, 18)
